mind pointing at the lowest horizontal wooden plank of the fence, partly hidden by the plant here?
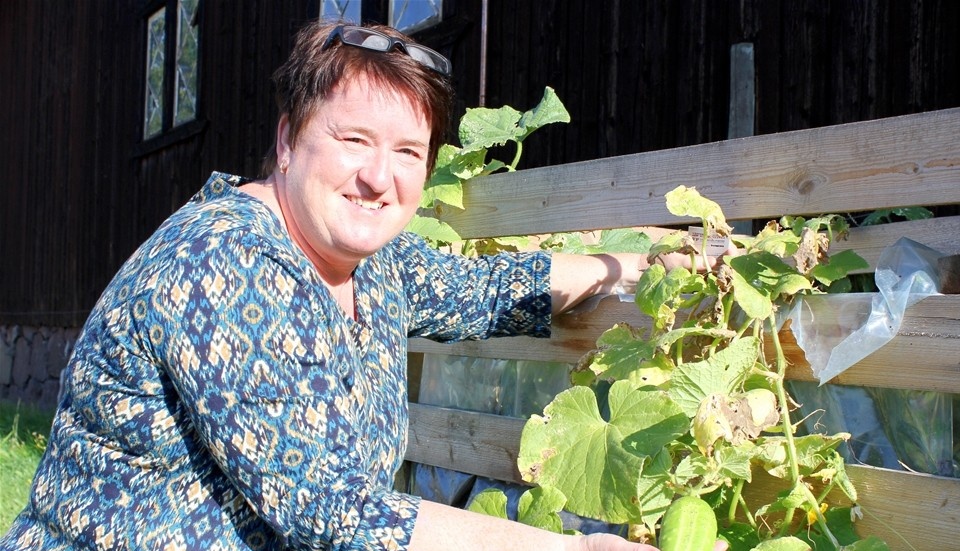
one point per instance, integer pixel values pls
(923, 509)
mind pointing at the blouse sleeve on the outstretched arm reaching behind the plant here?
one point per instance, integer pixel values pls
(458, 298)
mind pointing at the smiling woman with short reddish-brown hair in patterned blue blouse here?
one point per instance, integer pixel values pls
(241, 382)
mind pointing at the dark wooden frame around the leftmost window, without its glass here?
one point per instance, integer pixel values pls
(169, 133)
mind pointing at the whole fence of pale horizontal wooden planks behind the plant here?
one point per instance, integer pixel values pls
(894, 162)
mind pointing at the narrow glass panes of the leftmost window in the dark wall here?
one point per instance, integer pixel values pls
(170, 91)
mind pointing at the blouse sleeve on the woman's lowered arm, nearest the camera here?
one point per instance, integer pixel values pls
(243, 340)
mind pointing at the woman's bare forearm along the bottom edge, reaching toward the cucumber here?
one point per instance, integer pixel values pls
(442, 528)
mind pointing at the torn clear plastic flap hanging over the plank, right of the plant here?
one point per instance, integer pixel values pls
(837, 331)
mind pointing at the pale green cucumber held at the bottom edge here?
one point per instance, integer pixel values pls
(688, 525)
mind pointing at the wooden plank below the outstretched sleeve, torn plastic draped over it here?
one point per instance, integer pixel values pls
(925, 354)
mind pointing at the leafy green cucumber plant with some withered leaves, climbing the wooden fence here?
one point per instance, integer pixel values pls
(695, 404)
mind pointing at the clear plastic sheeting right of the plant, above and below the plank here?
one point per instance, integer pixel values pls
(892, 428)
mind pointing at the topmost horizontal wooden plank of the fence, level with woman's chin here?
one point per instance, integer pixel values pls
(834, 169)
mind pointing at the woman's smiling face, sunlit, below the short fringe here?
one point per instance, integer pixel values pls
(355, 177)
